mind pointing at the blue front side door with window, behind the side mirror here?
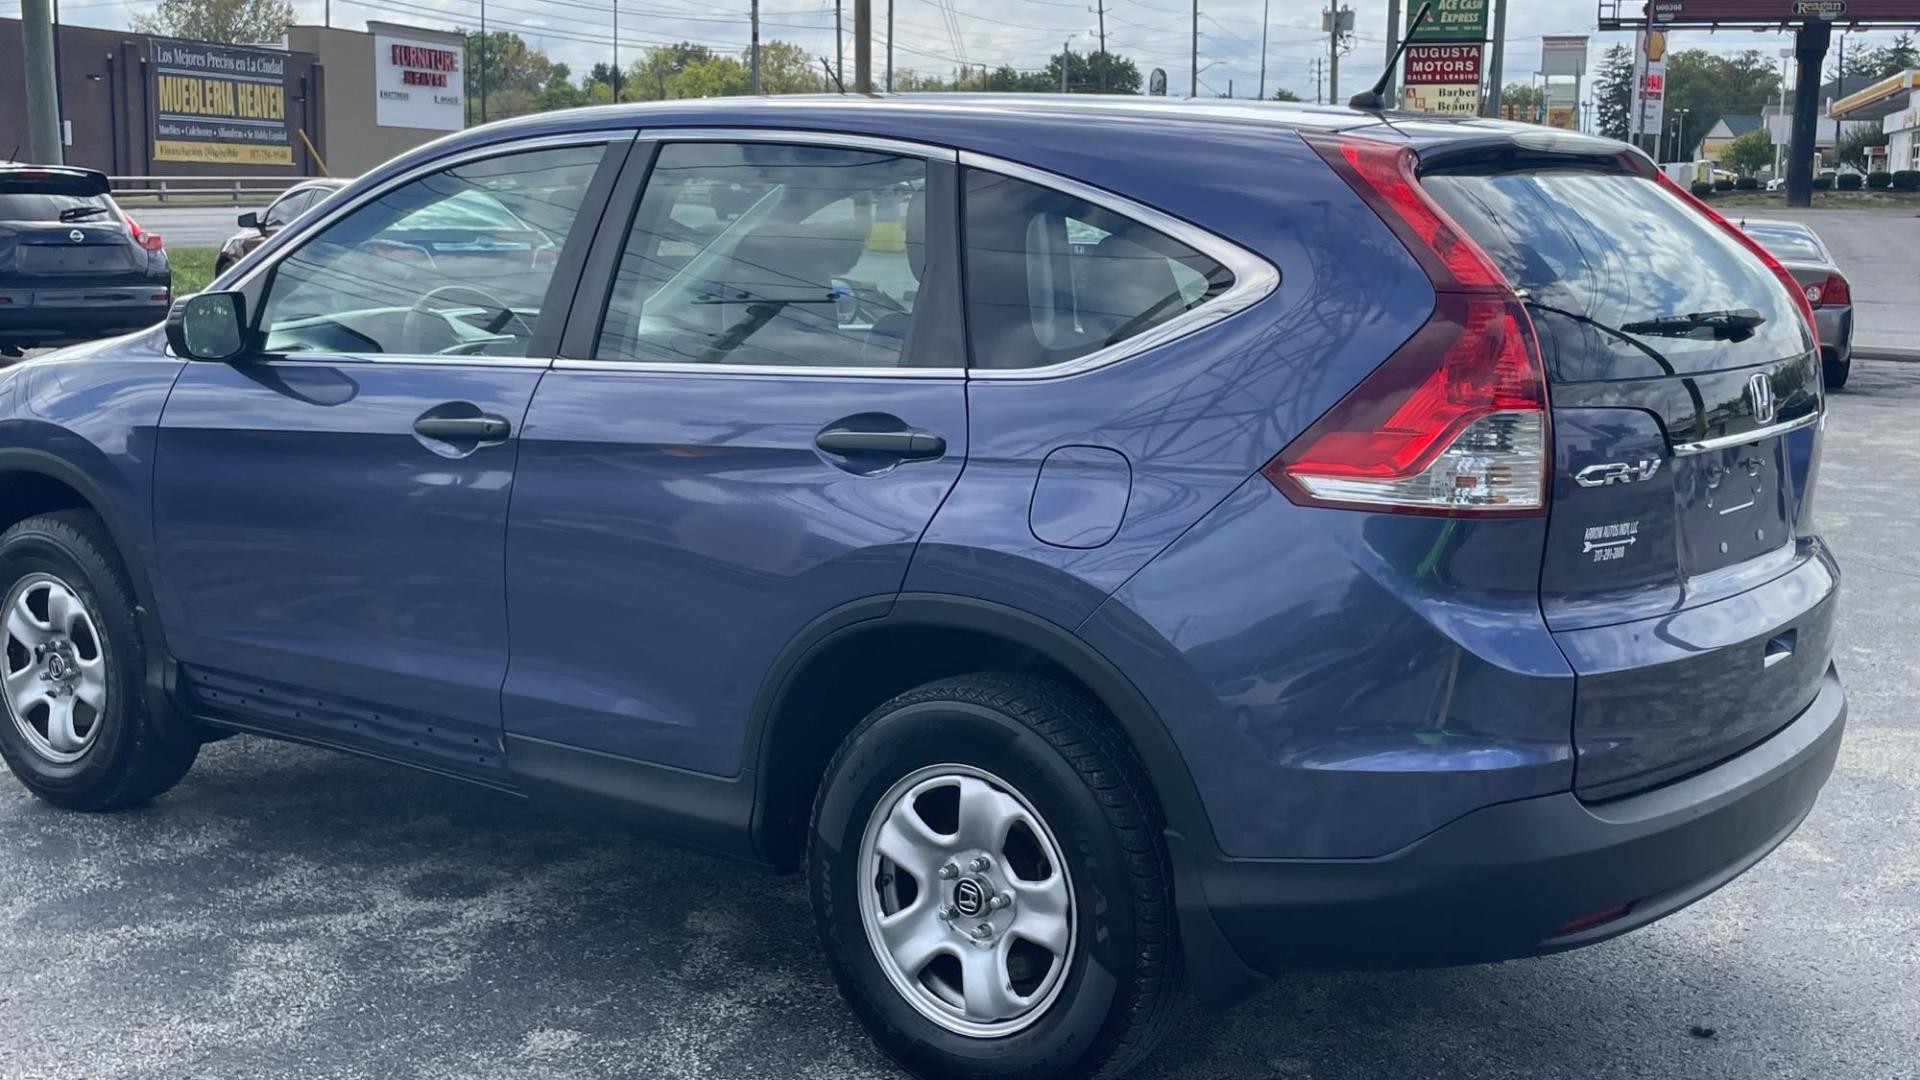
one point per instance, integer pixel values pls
(331, 510)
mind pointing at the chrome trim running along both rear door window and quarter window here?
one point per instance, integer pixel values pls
(1253, 278)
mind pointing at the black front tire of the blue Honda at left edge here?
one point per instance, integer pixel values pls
(128, 762)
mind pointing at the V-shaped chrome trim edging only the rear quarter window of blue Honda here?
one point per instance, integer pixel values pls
(1253, 278)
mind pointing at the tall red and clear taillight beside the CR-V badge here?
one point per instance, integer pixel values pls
(1456, 422)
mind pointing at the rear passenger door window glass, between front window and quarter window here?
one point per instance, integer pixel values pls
(777, 257)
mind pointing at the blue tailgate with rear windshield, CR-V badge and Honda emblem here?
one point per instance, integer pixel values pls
(1687, 420)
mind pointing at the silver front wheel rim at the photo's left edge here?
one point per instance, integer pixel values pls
(55, 672)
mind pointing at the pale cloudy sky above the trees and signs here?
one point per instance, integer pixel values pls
(932, 37)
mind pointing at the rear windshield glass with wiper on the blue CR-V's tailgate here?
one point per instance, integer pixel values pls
(1600, 253)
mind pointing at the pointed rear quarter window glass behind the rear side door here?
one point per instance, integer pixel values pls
(1053, 278)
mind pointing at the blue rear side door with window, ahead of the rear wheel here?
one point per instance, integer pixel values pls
(757, 433)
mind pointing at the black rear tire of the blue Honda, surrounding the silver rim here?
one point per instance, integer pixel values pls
(1059, 752)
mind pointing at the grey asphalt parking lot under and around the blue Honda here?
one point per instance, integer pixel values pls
(299, 914)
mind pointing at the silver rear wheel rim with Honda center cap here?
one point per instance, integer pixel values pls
(974, 925)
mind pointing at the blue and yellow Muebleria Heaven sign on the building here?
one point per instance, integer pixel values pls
(218, 103)
